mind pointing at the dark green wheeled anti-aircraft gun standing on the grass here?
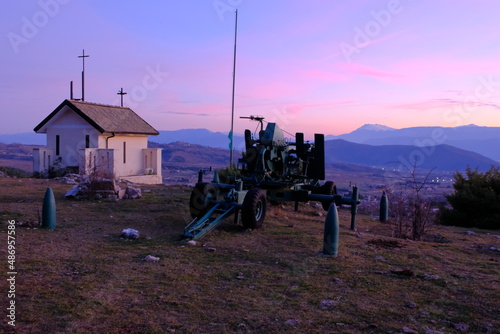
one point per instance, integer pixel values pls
(271, 169)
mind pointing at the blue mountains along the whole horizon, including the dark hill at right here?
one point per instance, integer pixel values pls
(375, 145)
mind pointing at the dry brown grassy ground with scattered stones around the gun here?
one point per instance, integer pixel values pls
(83, 278)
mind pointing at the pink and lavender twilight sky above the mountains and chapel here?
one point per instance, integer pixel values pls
(318, 66)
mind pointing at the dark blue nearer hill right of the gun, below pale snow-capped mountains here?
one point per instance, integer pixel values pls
(440, 157)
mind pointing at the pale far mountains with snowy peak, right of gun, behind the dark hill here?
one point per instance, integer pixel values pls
(480, 139)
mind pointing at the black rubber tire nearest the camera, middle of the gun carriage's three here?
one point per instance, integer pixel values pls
(253, 211)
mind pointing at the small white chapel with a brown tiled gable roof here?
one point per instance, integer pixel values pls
(91, 137)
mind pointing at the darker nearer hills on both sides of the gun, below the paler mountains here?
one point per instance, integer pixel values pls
(341, 152)
